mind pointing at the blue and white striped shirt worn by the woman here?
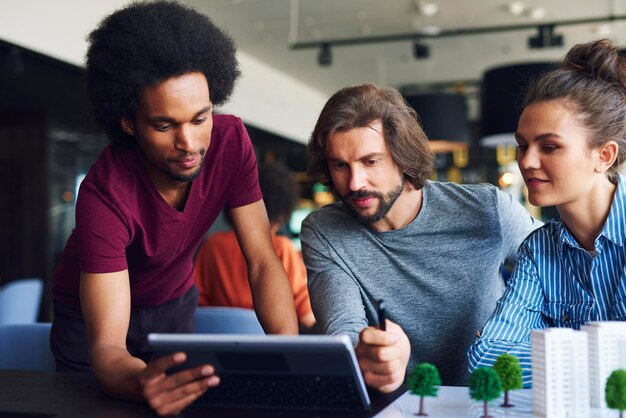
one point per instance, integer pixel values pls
(557, 283)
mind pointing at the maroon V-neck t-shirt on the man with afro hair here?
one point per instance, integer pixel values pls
(122, 222)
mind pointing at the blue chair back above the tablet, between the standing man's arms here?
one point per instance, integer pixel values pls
(225, 320)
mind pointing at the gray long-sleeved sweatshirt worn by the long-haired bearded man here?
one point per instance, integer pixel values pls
(439, 276)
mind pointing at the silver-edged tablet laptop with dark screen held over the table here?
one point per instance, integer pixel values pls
(283, 372)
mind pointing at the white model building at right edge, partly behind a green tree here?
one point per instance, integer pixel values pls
(607, 346)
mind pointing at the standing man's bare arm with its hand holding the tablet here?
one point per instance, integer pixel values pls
(105, 301)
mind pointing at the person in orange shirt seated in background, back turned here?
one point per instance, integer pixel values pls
(221, 273)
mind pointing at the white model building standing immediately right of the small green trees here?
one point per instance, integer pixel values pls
(560, 365)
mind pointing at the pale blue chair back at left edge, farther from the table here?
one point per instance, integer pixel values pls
(20, 301)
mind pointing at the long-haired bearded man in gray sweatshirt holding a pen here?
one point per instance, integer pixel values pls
(432, 251)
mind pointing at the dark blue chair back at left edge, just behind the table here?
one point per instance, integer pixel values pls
(26, 347)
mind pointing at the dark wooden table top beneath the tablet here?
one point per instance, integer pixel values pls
(30, 394)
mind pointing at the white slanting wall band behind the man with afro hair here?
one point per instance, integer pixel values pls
(264, 97)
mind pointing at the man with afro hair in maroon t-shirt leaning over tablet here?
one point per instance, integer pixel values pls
(155, 70)
